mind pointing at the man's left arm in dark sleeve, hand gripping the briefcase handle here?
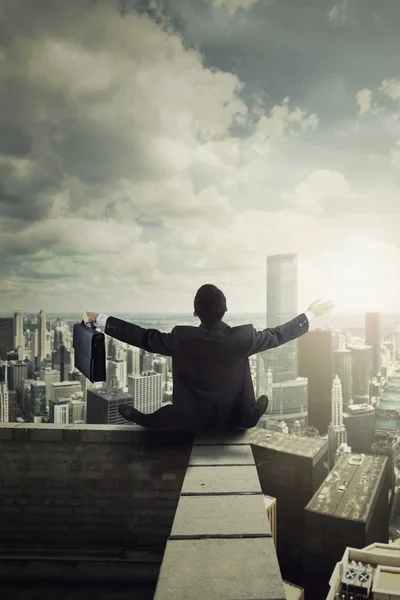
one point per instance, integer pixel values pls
(151, 340)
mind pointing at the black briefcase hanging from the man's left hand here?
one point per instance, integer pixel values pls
(90, 351)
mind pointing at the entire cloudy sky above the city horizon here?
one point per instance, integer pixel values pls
(147, 148)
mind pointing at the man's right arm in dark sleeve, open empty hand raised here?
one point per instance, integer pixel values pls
(272, 337)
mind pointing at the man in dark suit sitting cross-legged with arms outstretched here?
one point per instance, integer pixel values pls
(212, 384)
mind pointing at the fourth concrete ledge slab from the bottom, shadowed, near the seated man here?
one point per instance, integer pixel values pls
(222, 455)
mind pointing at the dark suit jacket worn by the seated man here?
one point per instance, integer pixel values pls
(212, 384)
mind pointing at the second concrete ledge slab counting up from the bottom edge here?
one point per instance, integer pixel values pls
(220, 515)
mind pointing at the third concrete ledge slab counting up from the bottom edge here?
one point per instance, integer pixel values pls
(221, 480)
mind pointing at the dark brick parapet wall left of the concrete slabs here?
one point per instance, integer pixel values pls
(84, 486)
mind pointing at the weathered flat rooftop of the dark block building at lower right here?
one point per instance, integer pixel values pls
(349, 490)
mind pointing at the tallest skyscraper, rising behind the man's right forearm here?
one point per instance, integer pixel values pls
(282, 307)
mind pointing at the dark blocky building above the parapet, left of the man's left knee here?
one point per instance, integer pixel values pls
(102, 406)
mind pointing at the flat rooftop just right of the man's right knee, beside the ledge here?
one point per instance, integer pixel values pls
(284, 442)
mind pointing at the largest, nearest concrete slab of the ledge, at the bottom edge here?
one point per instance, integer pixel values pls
(238, 569)
